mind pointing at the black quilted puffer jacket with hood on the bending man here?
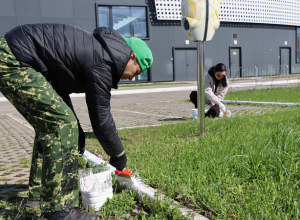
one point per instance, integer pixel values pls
(74, 61)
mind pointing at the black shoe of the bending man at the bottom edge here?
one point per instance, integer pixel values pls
(70, 214)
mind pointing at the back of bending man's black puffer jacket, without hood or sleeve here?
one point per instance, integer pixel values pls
(60, 52)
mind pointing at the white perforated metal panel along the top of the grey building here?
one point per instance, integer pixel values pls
(283, 12)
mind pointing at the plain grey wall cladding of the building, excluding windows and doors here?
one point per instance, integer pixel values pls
(260, 45)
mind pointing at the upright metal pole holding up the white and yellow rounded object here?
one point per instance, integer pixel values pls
(201, 84)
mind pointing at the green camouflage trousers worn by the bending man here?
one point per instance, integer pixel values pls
(54, 168)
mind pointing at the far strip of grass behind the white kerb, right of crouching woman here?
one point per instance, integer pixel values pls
(267, 95)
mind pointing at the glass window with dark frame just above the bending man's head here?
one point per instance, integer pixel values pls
(128, 21)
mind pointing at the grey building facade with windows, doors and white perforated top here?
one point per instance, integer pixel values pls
(252, 32)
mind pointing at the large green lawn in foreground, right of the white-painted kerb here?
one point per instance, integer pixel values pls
(244, 167)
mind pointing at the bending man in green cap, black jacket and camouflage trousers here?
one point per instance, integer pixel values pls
(40, 61)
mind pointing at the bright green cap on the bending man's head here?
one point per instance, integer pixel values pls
(142, 51)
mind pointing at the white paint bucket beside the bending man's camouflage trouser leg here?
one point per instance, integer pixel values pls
(96, 187)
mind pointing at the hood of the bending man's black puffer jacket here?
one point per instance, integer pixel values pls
(117, 48)
